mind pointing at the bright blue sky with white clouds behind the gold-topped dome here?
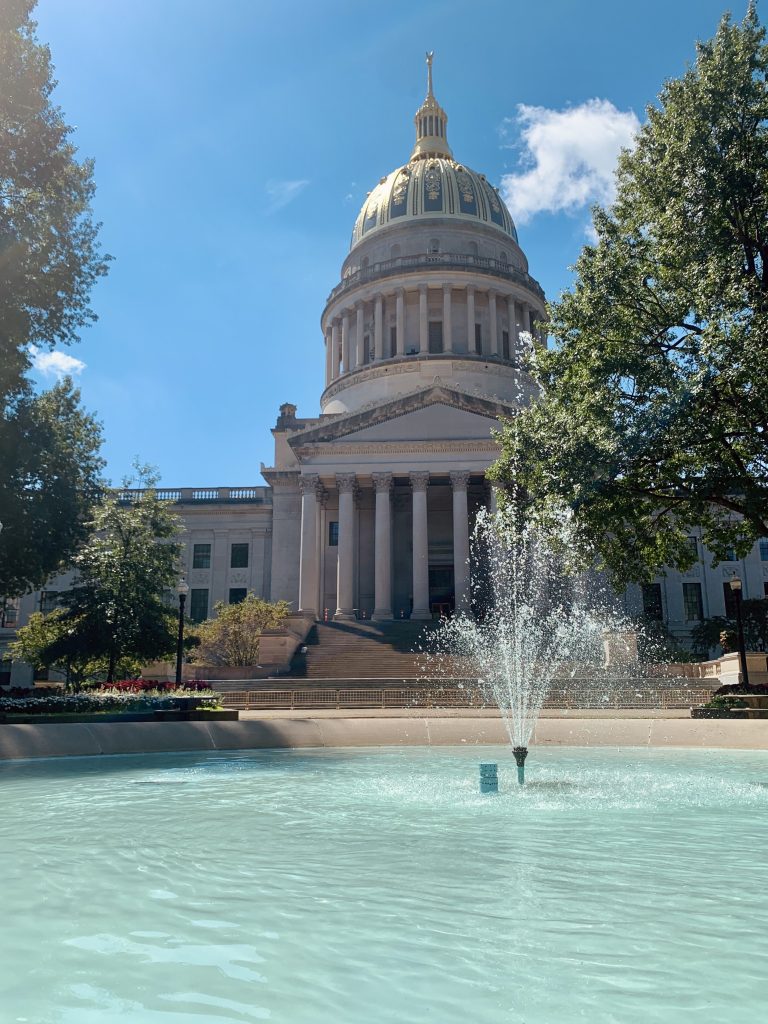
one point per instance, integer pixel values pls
(235, 143)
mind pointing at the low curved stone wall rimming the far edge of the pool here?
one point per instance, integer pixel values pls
(48, 741)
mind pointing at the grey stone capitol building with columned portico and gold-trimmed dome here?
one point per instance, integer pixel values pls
(368, 508)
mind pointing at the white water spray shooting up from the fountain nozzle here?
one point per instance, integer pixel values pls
(533, 623)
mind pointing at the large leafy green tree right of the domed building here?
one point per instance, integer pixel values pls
(653, 416)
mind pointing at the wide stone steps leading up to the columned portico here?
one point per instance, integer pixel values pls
(362, 651)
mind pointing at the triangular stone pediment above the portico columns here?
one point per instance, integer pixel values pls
(436, 413)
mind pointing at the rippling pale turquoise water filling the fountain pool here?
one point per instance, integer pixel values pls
(365, 887)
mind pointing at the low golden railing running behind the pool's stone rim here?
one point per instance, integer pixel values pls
(662, 699)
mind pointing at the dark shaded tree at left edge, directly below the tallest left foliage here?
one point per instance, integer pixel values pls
(52, 476)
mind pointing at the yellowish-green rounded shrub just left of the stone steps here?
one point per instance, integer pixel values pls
(233, 638)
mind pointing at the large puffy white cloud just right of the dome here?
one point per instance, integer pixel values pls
(569, 157)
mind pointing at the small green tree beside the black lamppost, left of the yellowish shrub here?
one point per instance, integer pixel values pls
(115, 611)
